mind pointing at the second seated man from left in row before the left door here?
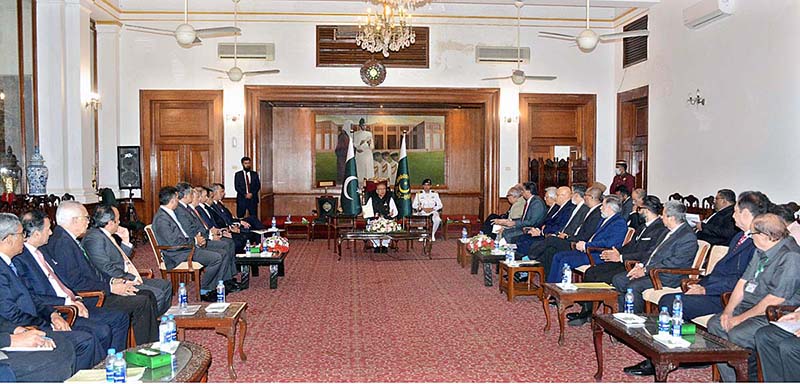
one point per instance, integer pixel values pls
(191, 222)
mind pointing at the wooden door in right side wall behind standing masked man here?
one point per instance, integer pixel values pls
(632, 132)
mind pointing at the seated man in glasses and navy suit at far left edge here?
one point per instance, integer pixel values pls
(19, 309)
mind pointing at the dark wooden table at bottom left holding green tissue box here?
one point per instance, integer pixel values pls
(193, 363)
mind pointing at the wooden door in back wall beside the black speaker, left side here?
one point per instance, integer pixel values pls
(181, 138)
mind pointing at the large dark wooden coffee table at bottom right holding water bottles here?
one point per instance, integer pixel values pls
(705, 348)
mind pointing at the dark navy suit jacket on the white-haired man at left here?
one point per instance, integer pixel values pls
(72, 266)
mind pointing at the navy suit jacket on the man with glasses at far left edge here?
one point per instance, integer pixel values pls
(16, 303)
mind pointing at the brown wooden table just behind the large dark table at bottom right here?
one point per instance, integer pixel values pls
(566, 299)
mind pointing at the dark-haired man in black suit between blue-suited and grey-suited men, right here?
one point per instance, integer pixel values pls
(643, 243)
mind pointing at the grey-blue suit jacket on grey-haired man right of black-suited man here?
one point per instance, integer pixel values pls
(677, 251)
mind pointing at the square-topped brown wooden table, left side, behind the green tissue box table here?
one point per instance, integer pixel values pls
(225, 324)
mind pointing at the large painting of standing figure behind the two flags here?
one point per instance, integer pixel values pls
(377, 141)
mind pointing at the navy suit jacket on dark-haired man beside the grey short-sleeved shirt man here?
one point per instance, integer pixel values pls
(730, 268)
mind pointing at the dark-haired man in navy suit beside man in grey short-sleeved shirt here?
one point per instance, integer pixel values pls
(704, 298)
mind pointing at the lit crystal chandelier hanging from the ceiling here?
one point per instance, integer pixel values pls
(387, 31)
